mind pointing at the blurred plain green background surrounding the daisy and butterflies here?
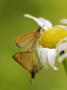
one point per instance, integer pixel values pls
(13, 24)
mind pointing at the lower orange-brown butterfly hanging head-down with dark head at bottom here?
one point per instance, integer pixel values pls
(29, 61)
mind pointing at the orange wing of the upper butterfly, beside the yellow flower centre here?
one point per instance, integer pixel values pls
(27, 41)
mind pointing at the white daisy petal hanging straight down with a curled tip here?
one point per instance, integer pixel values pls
(52, 58)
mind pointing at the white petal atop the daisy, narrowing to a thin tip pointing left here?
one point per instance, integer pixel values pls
(43, 23)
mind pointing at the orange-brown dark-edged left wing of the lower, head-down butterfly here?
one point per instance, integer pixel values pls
(24, 59)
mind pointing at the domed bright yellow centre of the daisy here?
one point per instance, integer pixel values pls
(50, 37)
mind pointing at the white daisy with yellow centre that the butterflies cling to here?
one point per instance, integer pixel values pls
(52, 42)
